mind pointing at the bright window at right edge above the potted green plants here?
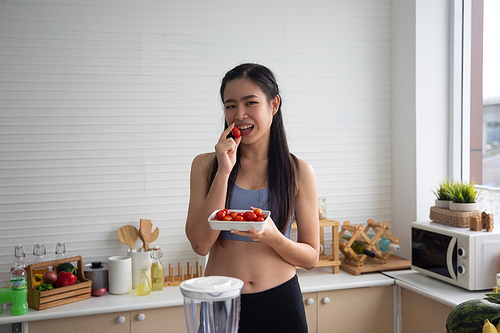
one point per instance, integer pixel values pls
(485, 101)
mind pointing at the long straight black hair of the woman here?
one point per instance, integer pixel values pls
(282, 166)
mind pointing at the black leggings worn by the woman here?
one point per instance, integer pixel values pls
(280, 309)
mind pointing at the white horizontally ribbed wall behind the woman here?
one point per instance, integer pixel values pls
(105, 103)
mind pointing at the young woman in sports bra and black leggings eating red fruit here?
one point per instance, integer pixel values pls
(256, 170)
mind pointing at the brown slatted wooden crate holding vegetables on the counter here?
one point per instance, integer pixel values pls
(41, 300)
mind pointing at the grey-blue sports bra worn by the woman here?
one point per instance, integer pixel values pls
(244, 199)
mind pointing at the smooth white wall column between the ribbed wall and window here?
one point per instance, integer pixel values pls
(420, 71)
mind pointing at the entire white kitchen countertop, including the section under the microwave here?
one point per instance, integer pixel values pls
(316, 280)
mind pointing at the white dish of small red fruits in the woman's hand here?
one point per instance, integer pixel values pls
(238, 219)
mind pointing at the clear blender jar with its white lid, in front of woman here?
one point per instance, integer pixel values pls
(212, 304)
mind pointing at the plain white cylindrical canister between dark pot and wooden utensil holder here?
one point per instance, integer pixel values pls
(119, 275)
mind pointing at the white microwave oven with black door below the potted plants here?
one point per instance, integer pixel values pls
(465, 258)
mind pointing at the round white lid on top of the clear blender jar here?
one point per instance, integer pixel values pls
(212, 288)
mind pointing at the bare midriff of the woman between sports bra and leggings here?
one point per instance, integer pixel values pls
(256, 264)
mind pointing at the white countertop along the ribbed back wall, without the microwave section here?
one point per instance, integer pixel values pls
(318, 279)
